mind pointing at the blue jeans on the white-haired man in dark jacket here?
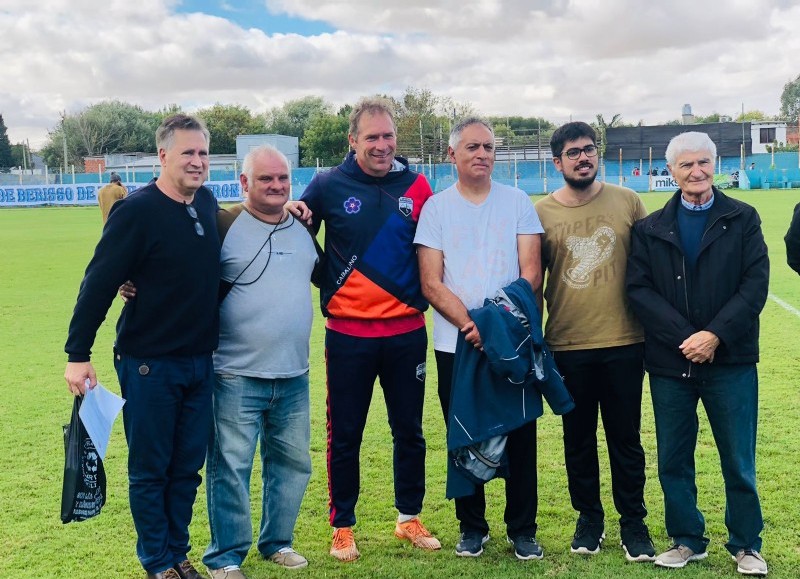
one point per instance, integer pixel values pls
(730, 396)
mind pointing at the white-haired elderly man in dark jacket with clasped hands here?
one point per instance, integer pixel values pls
(697, 279)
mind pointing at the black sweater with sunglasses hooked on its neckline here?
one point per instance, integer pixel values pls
(151, 240)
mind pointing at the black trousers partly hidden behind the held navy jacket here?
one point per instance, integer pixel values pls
(522, 499)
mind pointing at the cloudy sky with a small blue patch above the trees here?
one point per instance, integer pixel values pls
(558, 59)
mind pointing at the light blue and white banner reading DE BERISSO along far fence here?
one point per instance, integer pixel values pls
(86, 193)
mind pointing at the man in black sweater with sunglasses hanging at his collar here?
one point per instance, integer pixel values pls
(164, 239)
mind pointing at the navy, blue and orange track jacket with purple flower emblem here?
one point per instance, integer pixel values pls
(371, 270)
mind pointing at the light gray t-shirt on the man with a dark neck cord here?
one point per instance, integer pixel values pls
(265, 320)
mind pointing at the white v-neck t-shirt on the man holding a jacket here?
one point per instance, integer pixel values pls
(479, 243)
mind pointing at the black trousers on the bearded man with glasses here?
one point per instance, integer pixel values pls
(609, 379)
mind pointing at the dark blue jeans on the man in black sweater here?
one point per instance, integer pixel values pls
(167, 416)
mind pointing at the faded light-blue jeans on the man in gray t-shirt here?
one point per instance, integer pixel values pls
(275, 413)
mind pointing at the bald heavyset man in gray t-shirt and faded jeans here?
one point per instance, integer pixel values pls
(261, 365)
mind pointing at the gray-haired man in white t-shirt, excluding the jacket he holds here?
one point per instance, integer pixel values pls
(473, 239)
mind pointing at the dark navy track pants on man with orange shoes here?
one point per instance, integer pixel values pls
(353, 364)
